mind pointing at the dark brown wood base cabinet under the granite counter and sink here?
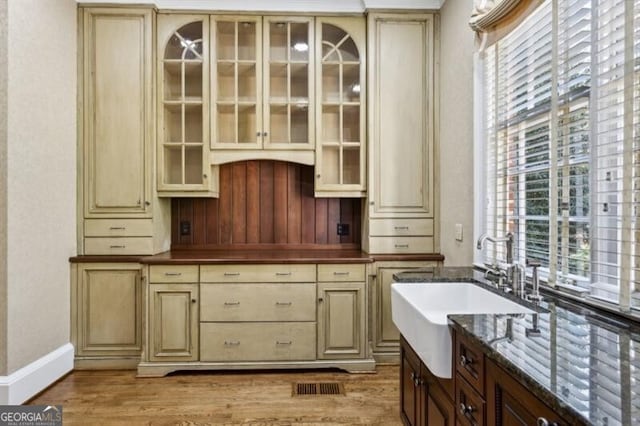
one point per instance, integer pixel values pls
(480, 393)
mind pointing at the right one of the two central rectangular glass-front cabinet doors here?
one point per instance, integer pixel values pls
(289, 83)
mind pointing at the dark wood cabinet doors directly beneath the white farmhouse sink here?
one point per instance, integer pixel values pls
(425, 400)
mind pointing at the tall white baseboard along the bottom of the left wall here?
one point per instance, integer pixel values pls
(28, 381)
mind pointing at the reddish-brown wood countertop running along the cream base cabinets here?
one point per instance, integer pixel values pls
(192, 257)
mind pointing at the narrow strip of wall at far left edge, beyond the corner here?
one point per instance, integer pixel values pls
(3, 188)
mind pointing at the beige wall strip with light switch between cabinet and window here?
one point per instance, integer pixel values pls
(456, 131)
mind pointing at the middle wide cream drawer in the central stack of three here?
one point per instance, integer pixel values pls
(258, 302)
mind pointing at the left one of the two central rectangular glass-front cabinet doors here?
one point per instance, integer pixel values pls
(236, 89)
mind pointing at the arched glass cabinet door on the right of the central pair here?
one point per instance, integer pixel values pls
(340, 138)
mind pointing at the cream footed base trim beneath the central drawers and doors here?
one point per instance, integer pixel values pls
(156, 369)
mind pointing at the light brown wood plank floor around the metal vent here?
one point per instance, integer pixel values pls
(218, 398)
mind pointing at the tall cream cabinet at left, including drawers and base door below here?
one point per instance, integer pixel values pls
(118, 211)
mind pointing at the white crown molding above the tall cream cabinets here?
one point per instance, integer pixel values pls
(299, 6)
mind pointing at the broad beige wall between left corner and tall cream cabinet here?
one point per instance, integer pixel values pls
(41, 181)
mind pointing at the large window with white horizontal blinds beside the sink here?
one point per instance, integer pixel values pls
(561, 128)
